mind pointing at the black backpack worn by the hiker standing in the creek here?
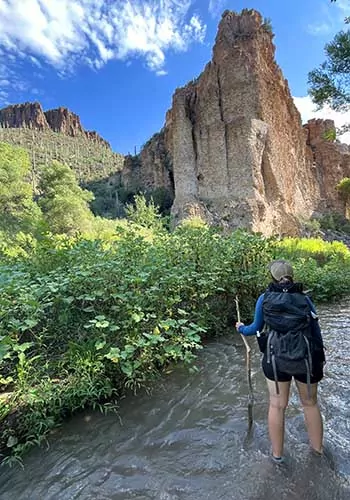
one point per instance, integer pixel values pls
(288, 340)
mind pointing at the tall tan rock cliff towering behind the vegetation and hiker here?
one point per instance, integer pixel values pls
(235, 144)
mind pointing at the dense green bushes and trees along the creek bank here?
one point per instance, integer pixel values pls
(90, 307)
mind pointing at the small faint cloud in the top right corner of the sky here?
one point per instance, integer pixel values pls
(330, 18)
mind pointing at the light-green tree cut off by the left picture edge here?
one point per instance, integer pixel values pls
(18, 211)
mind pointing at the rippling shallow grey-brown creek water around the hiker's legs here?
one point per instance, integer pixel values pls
(188, 439)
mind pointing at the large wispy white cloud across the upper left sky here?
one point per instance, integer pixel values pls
(64, 32)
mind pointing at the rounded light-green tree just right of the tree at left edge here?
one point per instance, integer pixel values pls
(63, 202)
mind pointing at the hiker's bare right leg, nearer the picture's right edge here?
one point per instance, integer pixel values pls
(312, 415)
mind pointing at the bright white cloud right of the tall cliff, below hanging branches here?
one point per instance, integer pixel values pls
(307, 109)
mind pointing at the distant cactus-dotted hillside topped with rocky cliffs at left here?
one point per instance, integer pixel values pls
(59, 135)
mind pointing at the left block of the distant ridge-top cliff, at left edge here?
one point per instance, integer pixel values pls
(29, 114)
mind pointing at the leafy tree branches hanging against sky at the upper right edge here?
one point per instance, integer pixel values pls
(330, 82)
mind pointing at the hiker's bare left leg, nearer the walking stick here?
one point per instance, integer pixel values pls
(277, 409)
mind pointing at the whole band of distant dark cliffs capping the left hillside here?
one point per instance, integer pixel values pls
(31, 115)
